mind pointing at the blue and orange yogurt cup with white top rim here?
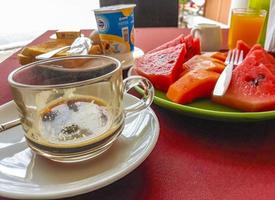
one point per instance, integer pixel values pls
(116, 28)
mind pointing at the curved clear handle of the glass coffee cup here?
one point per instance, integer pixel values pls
(148, 92)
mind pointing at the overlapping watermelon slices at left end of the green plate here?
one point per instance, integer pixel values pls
(162, 66)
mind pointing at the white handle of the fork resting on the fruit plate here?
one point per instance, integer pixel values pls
(223, 81)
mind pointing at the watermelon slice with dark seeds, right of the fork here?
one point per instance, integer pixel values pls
(252, 87)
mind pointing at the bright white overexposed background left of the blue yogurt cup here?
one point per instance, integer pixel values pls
(22, 21)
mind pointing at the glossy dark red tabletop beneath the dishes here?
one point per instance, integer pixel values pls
(193, 158)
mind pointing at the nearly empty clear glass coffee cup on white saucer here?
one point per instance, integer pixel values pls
(71, 107)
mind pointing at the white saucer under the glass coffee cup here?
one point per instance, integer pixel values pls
(25, 175)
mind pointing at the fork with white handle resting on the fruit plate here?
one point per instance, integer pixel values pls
(233, 59)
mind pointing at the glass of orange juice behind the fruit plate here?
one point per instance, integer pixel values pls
(246, 25)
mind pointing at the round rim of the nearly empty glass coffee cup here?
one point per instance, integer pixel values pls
(16, 84)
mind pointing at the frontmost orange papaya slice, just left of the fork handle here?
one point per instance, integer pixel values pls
(193, 85)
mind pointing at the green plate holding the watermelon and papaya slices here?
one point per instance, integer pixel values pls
(206, 109)
